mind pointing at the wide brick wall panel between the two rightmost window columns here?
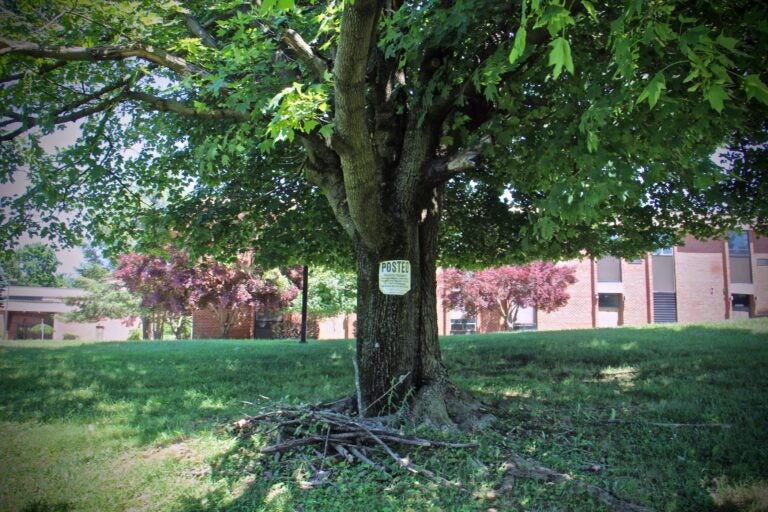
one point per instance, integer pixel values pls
(700, 283)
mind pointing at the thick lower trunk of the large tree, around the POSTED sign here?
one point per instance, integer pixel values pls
(398, 351)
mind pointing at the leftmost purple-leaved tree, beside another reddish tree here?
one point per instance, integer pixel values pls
(165, 287)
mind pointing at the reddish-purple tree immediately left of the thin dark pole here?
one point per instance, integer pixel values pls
(229, 291)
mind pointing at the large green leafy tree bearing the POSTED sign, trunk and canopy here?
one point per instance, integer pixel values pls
(477, 131)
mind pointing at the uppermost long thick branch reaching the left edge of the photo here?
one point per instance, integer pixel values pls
(99, 53)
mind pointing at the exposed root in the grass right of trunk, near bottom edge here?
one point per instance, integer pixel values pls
(520, 467)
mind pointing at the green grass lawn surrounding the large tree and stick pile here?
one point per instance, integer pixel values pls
(668, 418)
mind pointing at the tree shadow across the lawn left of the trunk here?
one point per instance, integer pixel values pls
(165, 388)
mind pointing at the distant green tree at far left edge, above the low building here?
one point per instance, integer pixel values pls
(32, 265)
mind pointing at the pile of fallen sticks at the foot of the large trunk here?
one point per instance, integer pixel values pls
(329, 435)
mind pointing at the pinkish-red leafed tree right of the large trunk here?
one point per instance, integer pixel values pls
(506, 289)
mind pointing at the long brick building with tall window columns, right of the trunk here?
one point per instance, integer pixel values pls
(699, 281)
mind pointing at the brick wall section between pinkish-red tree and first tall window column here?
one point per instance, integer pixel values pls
(577, 314)
